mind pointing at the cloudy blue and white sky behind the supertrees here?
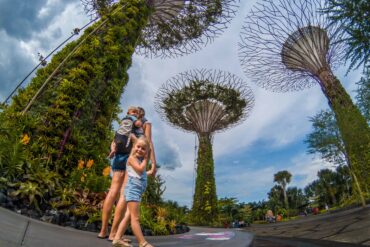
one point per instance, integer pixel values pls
(246, 157)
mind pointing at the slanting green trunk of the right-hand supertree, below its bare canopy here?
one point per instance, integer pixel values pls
(353, 128)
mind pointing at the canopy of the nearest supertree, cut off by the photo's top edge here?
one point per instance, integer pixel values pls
(177, 27)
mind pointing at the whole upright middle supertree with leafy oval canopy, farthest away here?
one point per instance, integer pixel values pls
(204, 102)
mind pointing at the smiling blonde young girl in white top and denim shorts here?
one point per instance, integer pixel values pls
(135, 187)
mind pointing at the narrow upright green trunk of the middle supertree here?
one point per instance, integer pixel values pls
(205, 199)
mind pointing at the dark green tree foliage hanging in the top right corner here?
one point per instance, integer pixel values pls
(353, 18)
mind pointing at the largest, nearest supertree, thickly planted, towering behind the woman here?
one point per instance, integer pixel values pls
(73, 99)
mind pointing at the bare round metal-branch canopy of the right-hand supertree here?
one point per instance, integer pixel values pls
(286, 44)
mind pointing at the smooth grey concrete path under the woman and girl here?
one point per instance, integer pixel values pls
(17, 230)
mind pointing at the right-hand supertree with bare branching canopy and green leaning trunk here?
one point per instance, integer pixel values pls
(287, 46)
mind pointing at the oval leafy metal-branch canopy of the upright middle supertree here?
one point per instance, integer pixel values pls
(204, 101)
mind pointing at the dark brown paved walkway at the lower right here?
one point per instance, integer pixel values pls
(350, 226)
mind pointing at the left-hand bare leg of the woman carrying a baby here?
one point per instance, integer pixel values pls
(111, 197)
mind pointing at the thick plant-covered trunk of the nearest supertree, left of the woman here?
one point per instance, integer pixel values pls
(76, 108)
